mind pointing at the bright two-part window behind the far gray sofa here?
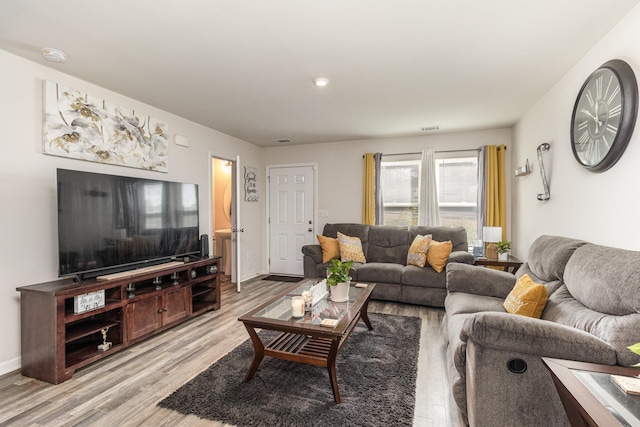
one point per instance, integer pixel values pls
(457, 182)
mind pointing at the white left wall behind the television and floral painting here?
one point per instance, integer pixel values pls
(28, 253)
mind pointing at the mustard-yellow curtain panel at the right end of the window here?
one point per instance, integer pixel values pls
(495, 188)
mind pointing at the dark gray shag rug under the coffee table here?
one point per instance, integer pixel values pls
(376, 374)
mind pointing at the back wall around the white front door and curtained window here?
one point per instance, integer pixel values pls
(341, 166)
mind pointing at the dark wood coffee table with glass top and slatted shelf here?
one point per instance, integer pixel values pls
(303, 339)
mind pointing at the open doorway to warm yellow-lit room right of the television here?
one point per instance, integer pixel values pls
(221, 214)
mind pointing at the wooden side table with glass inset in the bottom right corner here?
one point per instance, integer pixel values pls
(588, 395)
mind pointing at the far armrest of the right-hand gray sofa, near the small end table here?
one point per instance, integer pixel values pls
(477, 280)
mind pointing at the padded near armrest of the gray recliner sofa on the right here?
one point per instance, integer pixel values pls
(511, 332)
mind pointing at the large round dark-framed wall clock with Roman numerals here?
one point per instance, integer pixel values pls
(604, 116)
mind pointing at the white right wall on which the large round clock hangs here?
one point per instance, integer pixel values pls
(598, 207)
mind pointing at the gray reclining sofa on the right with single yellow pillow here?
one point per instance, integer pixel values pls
(494, 358)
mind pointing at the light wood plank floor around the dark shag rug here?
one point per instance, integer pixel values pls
(123, 389)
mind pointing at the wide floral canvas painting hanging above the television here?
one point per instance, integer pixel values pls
(84, 127)
